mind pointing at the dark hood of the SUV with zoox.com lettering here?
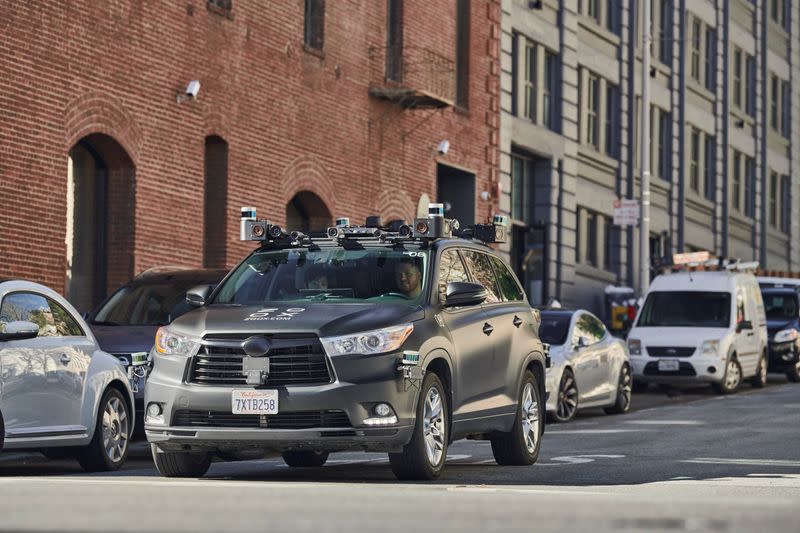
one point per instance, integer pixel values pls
(323, 319)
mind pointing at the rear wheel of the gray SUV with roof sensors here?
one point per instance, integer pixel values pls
(520, 447)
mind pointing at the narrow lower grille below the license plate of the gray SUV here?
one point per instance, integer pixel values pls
(296, 420)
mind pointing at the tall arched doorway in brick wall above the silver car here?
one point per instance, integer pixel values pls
(101, 204)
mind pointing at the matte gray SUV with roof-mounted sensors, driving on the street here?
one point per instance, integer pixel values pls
(367, 339)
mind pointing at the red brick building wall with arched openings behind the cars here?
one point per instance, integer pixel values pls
(293, 120)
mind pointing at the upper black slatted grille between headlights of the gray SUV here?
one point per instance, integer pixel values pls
(293, 360)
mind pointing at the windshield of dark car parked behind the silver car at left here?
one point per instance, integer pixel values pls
(156, 304)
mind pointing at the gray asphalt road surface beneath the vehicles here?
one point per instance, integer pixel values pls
(681, 462)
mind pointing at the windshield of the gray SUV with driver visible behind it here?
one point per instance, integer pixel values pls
(333, 274)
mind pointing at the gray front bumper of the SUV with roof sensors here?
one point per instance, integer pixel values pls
(361, 382)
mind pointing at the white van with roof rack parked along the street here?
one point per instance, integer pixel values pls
(701, 326)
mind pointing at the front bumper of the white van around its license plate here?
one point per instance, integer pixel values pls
(696, 368)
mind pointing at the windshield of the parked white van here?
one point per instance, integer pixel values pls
(686, 309)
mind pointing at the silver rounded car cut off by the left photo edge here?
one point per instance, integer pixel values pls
(59, 393)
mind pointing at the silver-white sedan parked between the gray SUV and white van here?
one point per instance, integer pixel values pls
(589, 367)
